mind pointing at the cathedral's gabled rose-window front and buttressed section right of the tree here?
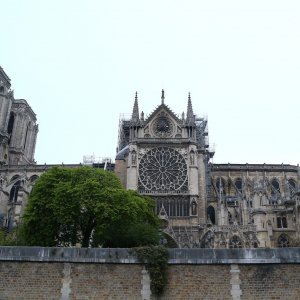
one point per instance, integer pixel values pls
(205, 205)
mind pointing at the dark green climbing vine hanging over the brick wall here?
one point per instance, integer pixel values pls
(155, 259)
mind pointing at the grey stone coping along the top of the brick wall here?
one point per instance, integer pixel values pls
(127, 256)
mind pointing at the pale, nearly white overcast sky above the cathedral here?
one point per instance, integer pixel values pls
(79, 63)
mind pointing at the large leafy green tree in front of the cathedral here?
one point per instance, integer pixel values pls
(87, 206)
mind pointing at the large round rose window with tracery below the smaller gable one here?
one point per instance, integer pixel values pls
(162, 170)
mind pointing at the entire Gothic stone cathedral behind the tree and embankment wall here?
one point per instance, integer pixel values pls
(166, 157)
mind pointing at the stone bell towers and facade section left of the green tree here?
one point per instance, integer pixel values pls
(18, 132)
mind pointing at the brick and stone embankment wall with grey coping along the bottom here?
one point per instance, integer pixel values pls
(73, 273)
